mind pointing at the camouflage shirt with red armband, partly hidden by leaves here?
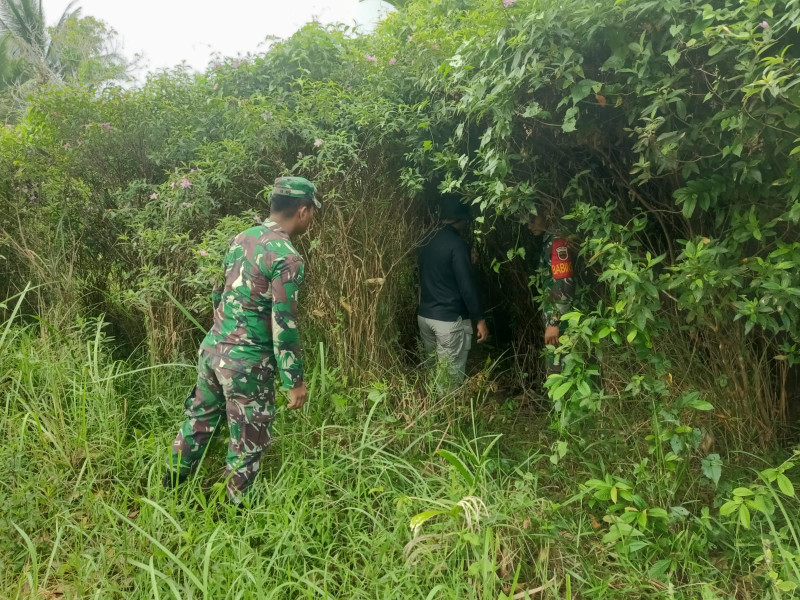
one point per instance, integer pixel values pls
(556, 278)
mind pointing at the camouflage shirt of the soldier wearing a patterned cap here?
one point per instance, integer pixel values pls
(255, 311)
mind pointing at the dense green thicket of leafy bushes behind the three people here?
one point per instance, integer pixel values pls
(665, 130)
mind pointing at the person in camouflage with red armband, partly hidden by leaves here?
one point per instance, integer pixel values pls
(556, 283)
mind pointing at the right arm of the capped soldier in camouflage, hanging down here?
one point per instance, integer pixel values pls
(286, 281)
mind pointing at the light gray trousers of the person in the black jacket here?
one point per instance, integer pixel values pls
(450, 341)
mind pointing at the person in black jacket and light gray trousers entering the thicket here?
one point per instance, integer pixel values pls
(449, 302)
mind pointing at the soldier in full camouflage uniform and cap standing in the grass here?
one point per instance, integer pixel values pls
(254, 337)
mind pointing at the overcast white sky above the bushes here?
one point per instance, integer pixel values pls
(167, 32)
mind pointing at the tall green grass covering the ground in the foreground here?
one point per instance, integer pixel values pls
(356, 499)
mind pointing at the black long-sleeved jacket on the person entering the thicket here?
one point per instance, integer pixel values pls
(446, 279)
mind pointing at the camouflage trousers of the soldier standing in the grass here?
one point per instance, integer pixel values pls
(247, 398)
